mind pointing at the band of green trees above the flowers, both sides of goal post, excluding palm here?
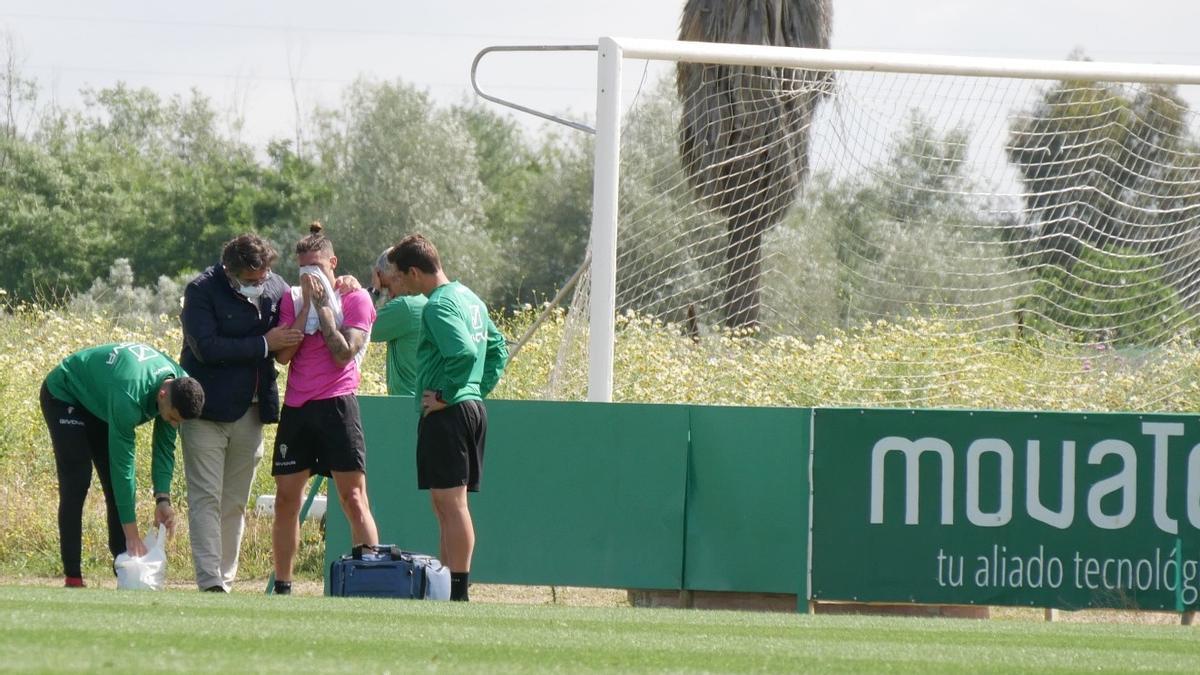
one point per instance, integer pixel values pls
(1111, 180)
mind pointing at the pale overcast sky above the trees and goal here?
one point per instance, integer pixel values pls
(248, 55)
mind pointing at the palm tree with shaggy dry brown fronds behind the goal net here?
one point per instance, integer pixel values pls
(743, 139)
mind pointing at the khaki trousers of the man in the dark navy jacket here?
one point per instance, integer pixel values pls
(220, 459)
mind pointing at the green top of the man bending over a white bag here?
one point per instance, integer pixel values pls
(119, 384)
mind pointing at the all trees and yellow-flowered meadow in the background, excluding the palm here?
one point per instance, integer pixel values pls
(109, 210)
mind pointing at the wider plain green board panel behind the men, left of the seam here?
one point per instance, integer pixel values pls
(573, 494)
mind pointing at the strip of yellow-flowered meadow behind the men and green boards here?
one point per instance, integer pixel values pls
(656, 361)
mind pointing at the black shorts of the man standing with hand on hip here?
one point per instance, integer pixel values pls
(451, 447)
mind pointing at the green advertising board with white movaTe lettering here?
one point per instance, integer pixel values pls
(1047, 510)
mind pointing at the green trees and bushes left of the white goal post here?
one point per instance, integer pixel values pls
(165, 183)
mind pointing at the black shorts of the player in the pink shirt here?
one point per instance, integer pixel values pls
(321, 437)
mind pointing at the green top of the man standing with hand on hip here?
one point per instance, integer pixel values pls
(460, 354)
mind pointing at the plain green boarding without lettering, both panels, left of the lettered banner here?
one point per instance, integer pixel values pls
(620, 495)
